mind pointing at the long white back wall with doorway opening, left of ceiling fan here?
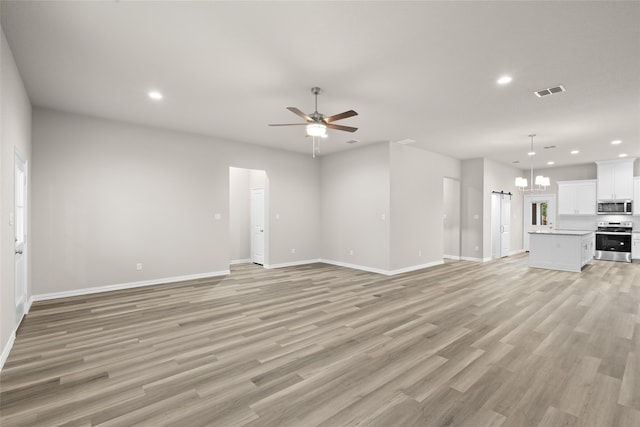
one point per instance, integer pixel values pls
(110, 195)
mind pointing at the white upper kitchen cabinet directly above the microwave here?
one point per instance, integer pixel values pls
(615, 179)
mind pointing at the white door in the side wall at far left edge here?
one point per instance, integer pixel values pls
(19, 221)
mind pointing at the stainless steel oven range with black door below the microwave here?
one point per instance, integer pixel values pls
(613, 241)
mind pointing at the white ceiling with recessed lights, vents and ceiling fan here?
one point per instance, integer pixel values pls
(420, 70)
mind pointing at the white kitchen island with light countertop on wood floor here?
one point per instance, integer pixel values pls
(566, 250)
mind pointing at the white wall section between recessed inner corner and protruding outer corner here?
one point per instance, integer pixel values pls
(355, 197)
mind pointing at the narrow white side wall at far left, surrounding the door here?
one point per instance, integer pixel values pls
(15, 135)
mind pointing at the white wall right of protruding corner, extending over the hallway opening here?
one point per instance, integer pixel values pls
(417, 205)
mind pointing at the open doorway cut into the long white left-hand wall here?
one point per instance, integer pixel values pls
(248, 198)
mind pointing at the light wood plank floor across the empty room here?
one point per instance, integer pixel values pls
(462, 344)
